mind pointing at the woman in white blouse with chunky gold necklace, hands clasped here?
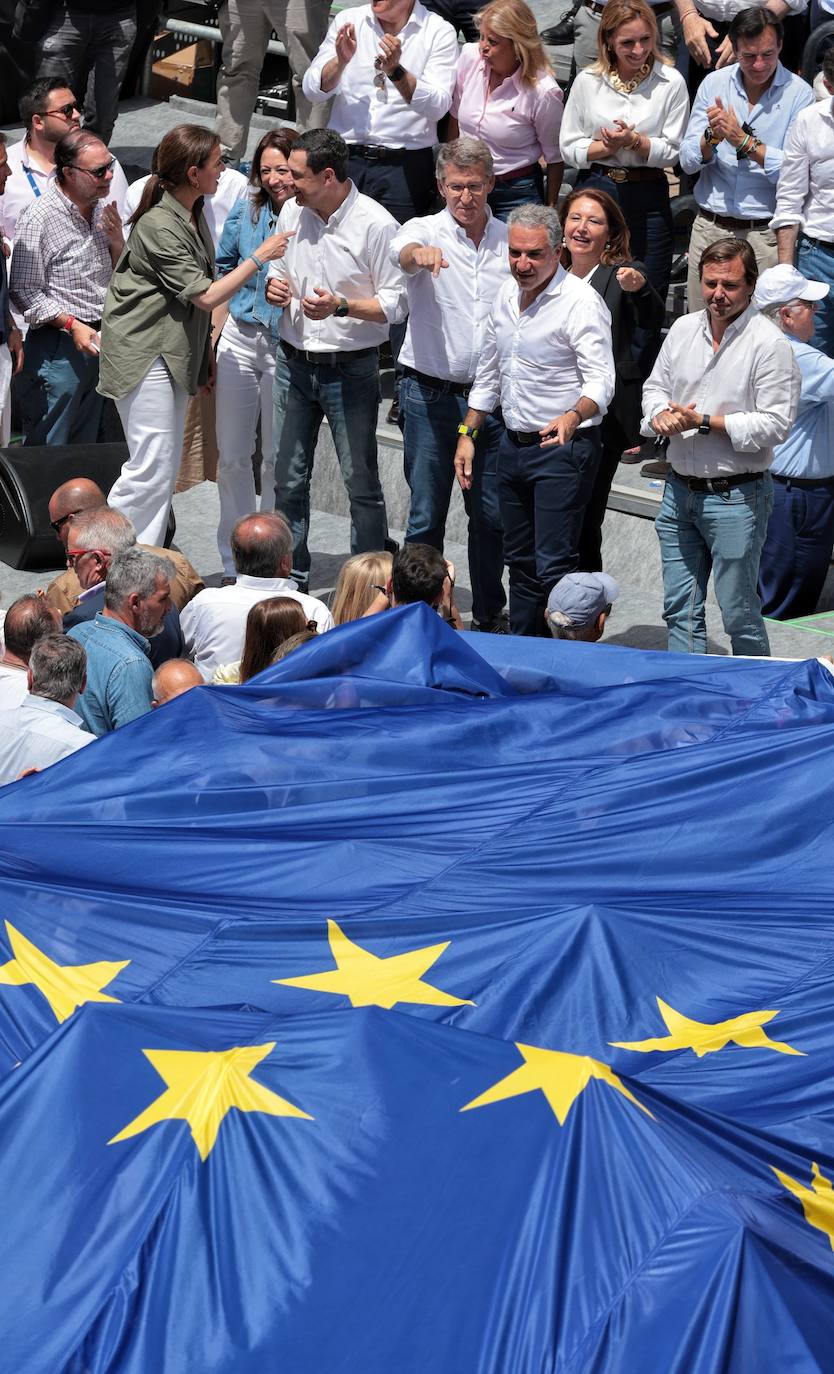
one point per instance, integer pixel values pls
(623, 126)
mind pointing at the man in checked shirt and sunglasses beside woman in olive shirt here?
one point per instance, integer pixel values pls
(68, 245)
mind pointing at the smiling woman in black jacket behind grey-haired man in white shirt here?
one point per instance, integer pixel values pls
(597, 248)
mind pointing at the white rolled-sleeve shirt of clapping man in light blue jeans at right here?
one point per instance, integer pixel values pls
(752, 380)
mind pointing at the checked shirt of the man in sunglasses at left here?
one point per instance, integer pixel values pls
(61, 264)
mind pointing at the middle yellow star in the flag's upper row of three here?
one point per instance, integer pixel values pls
(370, 982)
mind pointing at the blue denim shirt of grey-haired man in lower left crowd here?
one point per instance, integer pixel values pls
(119, 674)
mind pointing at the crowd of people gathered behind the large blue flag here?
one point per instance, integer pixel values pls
(421, 210)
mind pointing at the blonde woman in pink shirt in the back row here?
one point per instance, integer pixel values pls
(508, 97)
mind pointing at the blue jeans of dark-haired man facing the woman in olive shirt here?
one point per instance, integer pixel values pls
(348, 395)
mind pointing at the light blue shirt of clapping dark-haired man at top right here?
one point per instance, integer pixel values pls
(739, 186)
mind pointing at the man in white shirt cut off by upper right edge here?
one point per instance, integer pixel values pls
(806, 203)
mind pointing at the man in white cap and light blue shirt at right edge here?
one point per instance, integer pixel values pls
(798, 550)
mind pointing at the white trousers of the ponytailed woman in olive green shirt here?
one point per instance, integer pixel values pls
(155, 421)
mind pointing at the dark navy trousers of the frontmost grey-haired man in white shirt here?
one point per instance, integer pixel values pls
(543, 494)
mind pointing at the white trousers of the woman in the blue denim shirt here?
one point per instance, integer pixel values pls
(245, 376)
